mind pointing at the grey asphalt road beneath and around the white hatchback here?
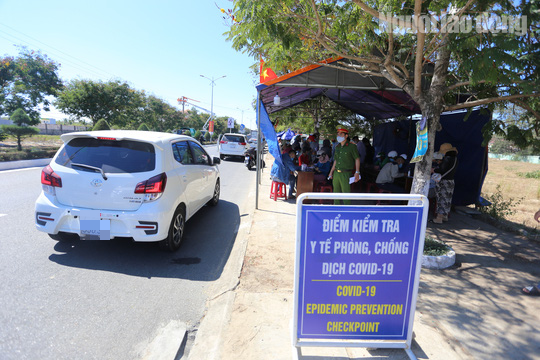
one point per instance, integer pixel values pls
(110, 299)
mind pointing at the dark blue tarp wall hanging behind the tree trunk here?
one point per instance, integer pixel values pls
(466, 136)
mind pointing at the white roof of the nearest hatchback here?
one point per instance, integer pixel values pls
(146, 136)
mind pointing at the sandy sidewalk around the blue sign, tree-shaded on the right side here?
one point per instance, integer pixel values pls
(474, 310)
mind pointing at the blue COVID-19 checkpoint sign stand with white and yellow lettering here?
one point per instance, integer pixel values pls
(357, 271)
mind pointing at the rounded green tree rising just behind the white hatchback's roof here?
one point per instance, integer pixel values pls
(114, 101)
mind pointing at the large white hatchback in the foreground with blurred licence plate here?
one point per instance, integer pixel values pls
(115, 183)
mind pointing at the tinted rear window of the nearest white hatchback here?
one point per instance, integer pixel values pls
(112, 156)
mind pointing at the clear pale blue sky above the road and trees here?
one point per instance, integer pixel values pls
(160, 46)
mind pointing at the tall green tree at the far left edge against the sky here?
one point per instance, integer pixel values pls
(26, 82)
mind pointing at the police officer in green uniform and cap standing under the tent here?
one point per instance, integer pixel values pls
(346, 162)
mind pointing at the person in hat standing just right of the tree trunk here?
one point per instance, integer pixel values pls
(444, 188)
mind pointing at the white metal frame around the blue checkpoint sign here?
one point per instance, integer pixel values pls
(415, 202)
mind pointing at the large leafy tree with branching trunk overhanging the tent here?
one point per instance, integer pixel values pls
(450, 67)
